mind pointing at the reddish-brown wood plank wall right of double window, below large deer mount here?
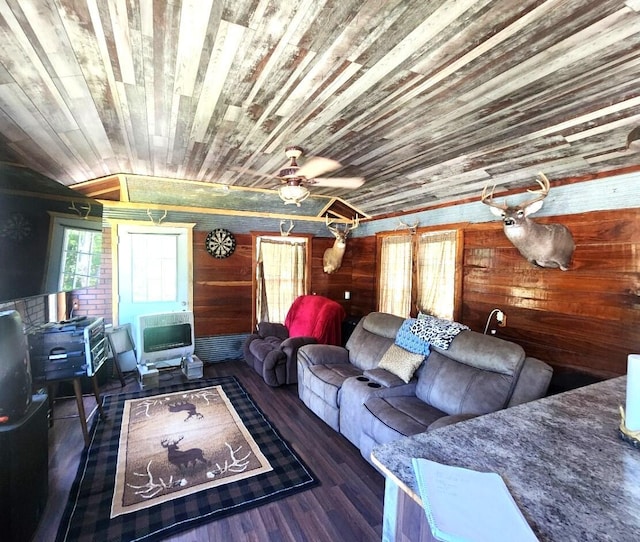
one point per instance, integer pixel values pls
(586, 319)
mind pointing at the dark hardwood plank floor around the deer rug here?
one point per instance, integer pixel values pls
(346, 506)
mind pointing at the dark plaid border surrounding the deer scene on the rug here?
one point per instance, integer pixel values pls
(86, 516)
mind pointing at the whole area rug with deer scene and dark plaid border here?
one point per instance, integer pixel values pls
(166, 460)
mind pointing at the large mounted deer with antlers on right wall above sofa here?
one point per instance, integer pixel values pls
(544, 245)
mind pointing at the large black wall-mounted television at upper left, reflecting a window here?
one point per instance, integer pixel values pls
(50, 235)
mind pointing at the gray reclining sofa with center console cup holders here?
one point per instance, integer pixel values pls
(476, 374)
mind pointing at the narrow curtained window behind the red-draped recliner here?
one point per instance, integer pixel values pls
(280, 276)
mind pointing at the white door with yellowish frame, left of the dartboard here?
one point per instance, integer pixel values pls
(154, 270)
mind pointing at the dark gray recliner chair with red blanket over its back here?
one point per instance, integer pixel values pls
(272, 351)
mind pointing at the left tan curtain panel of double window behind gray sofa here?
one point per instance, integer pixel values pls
(395, 275)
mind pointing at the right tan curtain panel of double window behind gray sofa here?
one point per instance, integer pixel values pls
(436, 273)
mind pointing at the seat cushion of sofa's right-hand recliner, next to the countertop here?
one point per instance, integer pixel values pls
(389, 418)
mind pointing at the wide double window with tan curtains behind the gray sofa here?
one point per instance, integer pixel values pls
(418, 272)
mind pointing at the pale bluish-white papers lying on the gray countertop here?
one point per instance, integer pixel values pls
(463, 505)
